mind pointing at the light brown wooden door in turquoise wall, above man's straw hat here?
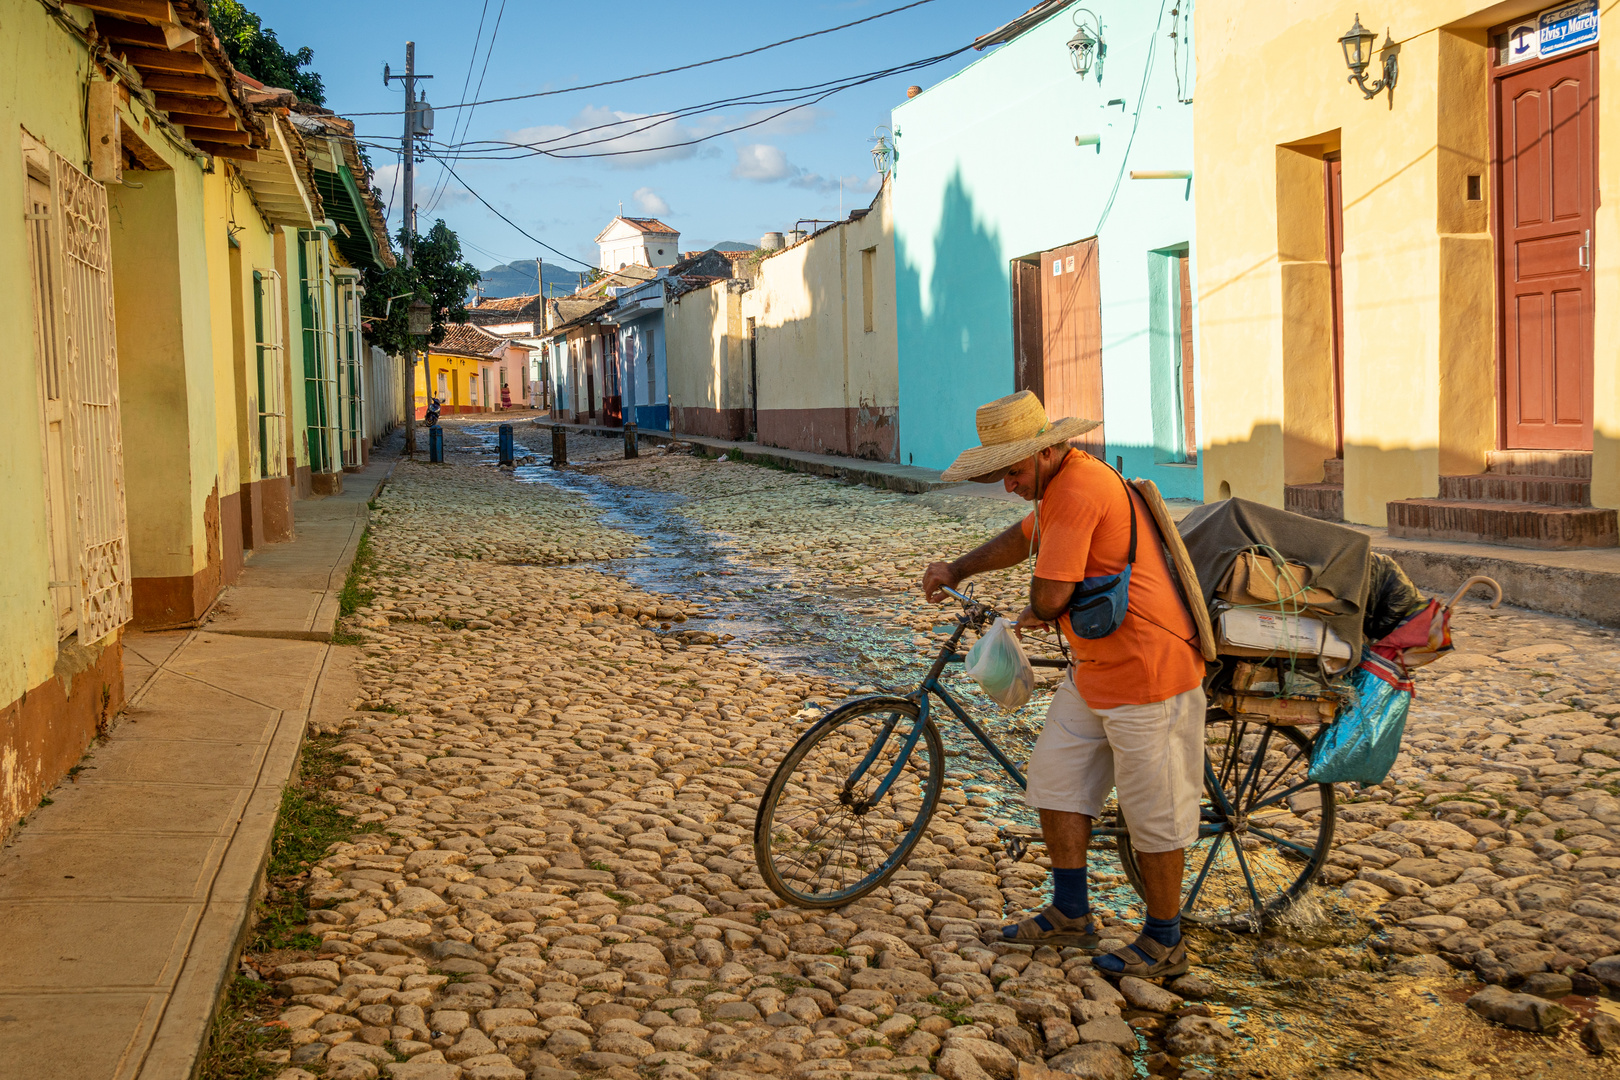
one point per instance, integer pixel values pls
(1073, 338)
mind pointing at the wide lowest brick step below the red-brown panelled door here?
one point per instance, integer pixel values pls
(1519, 525)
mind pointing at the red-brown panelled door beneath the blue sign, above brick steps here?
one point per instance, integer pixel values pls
(1548, 190)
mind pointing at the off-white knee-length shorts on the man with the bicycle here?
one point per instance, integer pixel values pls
(1153, 754)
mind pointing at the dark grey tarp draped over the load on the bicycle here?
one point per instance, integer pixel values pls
(1217, 534)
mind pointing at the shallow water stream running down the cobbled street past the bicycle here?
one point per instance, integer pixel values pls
(1302, 995)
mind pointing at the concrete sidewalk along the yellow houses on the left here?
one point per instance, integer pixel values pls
(124, 904)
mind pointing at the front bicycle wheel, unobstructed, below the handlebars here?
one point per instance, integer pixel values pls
(838, 819)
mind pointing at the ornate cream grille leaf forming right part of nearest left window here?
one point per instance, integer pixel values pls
(92, 355)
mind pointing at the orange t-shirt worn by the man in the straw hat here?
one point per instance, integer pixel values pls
(1086, 534)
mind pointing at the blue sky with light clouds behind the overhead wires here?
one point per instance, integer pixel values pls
(733, 187)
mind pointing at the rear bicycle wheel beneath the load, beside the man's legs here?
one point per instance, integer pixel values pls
(1264, 831)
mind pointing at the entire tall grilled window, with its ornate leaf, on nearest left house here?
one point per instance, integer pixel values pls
(70, 258)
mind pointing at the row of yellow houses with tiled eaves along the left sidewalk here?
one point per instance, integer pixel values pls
(153, 210)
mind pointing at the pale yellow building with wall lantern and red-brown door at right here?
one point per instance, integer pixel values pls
(1410, 296)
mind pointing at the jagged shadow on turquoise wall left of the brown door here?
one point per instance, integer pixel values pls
(957, 342)
